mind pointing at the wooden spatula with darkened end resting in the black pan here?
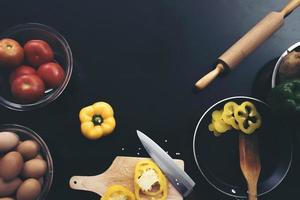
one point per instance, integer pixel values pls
(250, 162)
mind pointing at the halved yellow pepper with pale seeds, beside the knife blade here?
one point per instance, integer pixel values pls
(146, 166)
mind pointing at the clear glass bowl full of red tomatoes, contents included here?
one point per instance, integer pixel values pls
(36, 64)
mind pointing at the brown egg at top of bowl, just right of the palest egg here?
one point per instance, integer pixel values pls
(28, 149)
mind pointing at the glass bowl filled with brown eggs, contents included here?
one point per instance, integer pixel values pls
(26, 167)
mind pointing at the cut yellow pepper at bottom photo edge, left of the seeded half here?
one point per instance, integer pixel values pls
(118, 192)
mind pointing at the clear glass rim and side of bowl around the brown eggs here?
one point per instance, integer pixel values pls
(25, 133)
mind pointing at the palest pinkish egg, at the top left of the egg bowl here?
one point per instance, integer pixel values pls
(8, 141)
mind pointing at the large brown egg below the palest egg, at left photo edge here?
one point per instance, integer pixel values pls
(11, 165)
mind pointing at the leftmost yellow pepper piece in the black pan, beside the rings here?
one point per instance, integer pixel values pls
(218, 126)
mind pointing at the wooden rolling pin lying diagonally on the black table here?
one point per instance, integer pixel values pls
(248, 43)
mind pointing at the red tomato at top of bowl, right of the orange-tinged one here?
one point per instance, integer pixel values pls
(38, 52)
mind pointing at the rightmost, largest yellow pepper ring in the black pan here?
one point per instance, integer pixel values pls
(247, 117)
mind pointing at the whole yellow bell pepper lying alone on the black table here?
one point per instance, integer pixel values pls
(97, 120)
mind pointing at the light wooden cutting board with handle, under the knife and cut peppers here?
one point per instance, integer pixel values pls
(121, 172)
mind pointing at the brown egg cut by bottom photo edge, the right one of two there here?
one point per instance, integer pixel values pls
(29, 190)
